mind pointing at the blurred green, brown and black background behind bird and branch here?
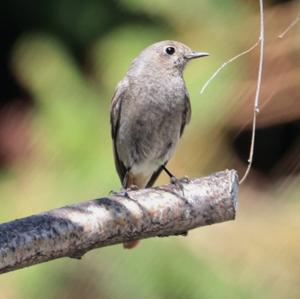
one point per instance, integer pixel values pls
(59, 63)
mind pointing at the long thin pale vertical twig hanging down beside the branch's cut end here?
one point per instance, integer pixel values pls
(258, 87)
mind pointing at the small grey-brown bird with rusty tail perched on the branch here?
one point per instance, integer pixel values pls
(150, 108)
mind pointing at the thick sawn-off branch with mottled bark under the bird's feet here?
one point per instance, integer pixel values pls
(73, 230)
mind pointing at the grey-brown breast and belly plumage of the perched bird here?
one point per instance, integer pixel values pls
(150, 124)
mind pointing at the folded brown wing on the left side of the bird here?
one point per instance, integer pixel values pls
(115, 115)
